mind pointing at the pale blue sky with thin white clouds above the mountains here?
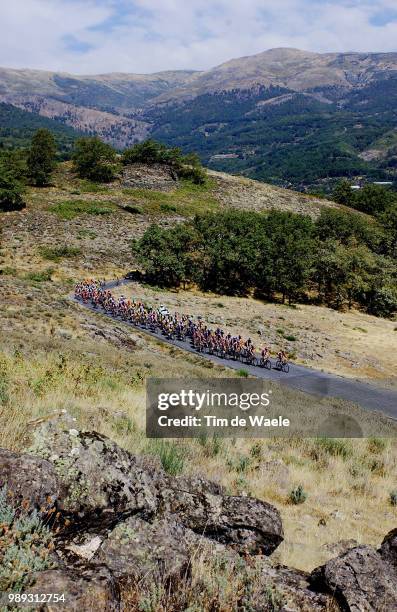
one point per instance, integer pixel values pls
(97, 36)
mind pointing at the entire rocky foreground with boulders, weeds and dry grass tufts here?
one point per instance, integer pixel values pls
(122, 534)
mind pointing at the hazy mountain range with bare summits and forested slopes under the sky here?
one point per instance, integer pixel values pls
(286, 116)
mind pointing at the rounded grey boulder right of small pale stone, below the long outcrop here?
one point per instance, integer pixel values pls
(152, 553)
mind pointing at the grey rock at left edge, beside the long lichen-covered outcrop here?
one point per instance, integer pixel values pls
(29, 480)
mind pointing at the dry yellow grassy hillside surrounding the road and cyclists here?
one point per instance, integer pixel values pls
(55, 355)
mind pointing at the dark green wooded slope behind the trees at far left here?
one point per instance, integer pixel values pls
(17, 128)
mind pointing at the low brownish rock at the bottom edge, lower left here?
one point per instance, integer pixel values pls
(86, 590)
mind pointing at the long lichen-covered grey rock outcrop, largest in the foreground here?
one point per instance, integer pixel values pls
(104, 484)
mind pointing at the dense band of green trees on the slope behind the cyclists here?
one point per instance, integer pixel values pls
(341, 259)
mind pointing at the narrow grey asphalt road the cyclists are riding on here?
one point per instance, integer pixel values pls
(300, 377)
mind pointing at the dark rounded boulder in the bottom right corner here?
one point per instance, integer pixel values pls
(360, 579)
